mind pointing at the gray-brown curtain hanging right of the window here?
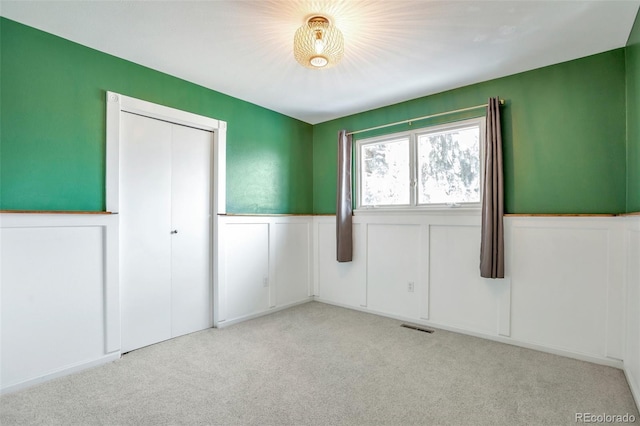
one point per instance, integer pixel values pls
(492, 243)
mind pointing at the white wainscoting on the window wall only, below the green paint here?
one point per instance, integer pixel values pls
(563, 291)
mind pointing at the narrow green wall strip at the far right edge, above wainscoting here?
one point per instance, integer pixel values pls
(632, 52)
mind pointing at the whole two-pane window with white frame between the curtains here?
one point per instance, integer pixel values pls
(432, 167)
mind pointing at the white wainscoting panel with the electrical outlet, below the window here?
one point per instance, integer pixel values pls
(394, 256)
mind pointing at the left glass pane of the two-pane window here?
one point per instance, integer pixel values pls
(385, 173)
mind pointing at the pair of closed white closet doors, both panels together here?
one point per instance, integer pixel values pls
(165, 230)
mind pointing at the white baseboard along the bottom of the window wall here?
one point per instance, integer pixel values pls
(610, 362)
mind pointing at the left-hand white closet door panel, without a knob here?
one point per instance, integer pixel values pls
(145, 223)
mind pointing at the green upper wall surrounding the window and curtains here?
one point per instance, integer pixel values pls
(563, 135)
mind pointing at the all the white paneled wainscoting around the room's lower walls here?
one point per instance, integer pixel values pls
(572, 286)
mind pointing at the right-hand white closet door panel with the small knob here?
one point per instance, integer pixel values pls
(191, 218)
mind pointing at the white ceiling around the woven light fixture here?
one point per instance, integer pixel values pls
(394, 50)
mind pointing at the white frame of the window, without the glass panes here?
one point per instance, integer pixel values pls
(413, 135)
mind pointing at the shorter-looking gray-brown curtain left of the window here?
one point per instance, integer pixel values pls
(343, 205)
